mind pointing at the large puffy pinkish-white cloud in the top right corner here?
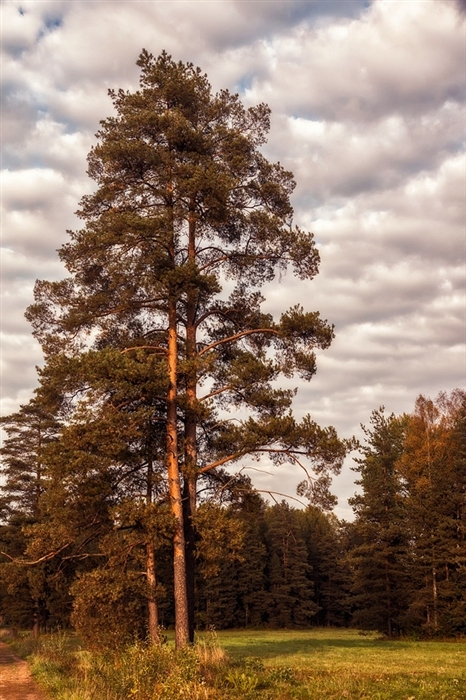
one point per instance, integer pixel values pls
(362, 71)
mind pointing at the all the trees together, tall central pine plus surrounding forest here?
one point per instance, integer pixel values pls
(121, 511)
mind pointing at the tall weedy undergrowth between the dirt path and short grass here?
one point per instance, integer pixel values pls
(146, 672)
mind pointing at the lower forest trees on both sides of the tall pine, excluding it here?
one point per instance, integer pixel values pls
(399, 567)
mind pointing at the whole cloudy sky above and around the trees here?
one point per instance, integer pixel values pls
(368, 112)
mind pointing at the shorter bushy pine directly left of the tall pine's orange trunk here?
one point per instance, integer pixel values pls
(106, 481)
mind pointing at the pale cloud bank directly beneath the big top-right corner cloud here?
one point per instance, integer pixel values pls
(341, 159)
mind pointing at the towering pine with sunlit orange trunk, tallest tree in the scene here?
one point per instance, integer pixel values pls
(185, 200)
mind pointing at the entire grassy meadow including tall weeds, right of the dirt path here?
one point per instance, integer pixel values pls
(333, 664)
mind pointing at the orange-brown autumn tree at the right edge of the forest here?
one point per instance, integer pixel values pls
(432, 468)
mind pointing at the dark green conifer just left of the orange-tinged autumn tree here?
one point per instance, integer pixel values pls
(379, 541)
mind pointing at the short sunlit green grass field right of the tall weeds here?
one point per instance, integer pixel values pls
(347, 664)
